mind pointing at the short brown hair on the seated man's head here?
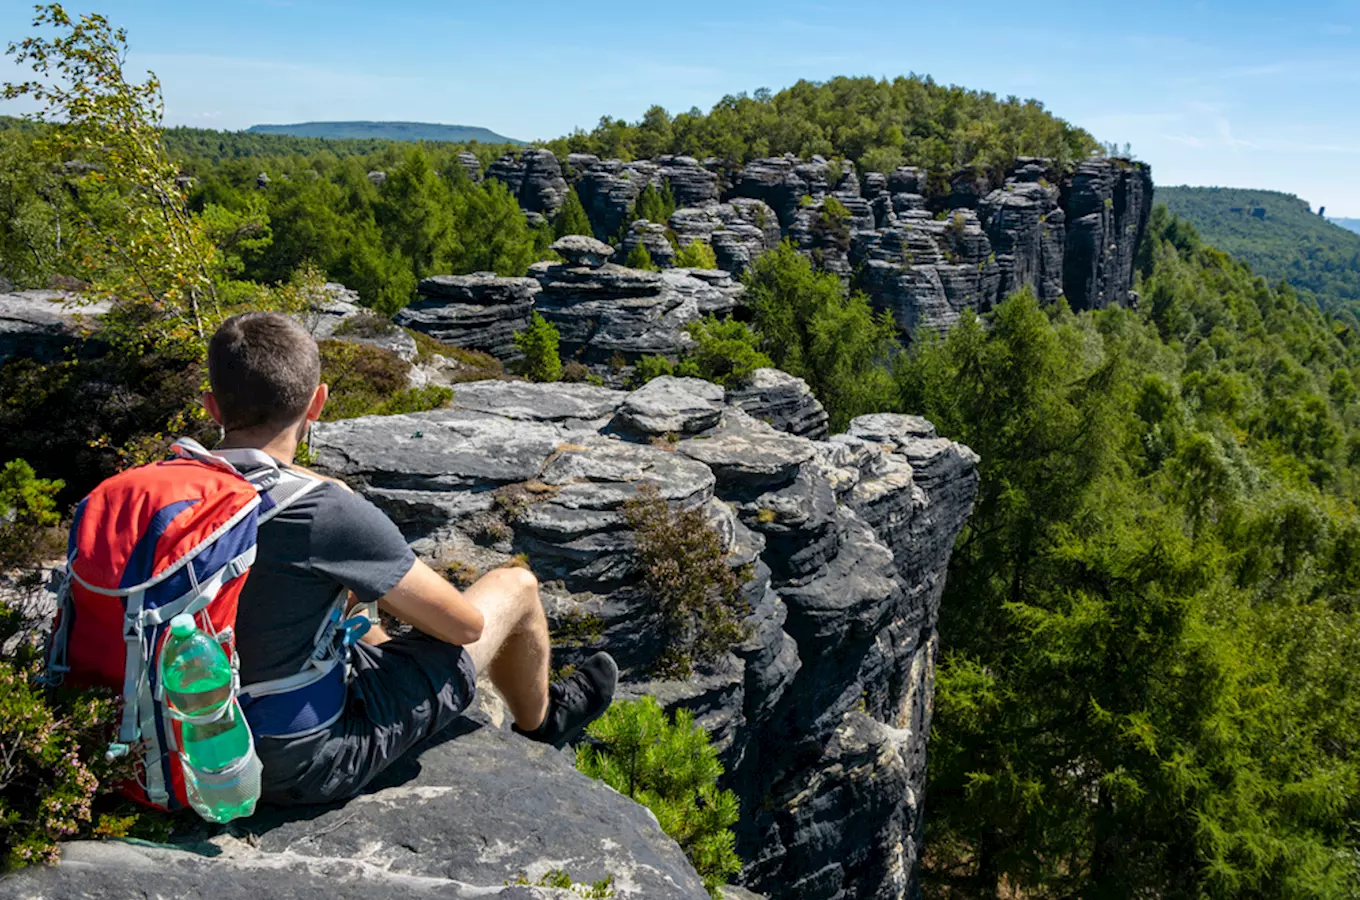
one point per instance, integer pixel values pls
(263, 369)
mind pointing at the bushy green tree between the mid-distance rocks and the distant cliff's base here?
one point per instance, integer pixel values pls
(811, 328)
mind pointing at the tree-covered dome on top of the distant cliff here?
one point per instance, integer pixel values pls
(879, 124)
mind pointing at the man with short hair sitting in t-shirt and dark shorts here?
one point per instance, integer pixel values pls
(265, 373)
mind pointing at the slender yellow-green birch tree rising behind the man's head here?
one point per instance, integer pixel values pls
(130, 230)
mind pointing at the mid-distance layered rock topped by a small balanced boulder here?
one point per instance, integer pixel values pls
(606, 312)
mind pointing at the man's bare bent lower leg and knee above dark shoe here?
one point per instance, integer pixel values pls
(515, 648)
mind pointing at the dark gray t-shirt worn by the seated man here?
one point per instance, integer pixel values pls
(327, 540)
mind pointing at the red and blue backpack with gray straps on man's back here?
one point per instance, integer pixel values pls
(177, 538)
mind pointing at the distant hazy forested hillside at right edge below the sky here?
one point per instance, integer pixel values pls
(1319, 259)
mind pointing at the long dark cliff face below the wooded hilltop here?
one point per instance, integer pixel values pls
(923, 256)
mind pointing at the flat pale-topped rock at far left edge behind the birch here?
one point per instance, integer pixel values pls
(47, 326)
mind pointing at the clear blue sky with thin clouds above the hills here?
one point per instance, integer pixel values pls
(1251, 93)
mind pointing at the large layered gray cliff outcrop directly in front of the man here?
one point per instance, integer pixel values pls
(822, 713)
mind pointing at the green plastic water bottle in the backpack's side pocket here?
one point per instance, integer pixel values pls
(221, 767)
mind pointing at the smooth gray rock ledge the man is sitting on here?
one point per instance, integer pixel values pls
(466, 818)
